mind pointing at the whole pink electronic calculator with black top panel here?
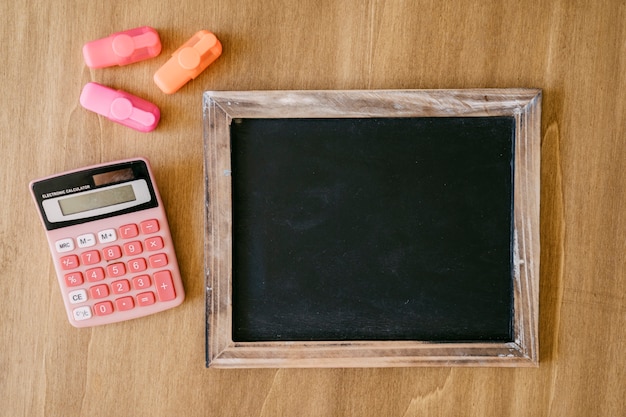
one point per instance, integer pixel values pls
(110, 242)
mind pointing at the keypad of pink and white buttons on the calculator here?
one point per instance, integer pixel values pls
(115, 270)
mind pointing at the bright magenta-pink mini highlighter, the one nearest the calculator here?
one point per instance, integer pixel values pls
(120, 107)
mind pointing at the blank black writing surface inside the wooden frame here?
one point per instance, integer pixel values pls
(372, 229)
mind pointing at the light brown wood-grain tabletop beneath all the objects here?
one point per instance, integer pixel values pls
(574, 50)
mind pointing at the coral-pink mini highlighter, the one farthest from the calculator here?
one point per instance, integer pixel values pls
(123, 48)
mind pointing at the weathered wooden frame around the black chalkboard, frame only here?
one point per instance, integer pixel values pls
(221, 108)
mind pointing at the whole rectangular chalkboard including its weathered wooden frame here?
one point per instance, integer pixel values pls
(372, 232)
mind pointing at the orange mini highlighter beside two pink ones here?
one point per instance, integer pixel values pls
(188, 61)
